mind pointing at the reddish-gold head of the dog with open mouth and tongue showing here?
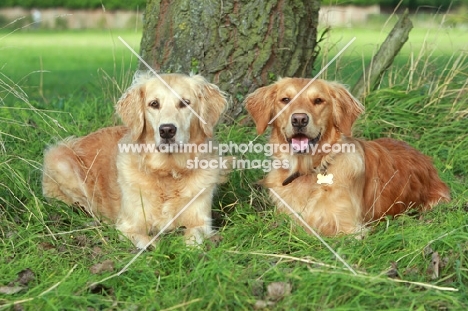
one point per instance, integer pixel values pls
(302, 115)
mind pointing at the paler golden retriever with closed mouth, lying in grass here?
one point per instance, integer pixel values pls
(142, 191)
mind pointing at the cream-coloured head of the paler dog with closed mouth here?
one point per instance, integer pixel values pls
(172, 109)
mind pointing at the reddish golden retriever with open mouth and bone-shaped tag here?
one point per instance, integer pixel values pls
(337, 189)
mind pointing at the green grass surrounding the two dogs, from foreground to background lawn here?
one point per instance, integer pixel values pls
(58, 84)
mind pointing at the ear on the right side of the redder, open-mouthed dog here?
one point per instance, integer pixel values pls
(346, 108)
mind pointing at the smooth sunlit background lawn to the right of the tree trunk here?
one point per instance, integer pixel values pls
(437, 46)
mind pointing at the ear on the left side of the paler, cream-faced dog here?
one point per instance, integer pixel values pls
(130, 108)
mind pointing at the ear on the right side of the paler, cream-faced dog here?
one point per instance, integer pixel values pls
(213, 102)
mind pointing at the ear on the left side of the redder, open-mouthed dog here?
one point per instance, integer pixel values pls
(260, 106)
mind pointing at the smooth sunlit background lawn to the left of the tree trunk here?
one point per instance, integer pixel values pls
(53, 66)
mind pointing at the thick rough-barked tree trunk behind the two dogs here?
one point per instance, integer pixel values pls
(239, 45)
